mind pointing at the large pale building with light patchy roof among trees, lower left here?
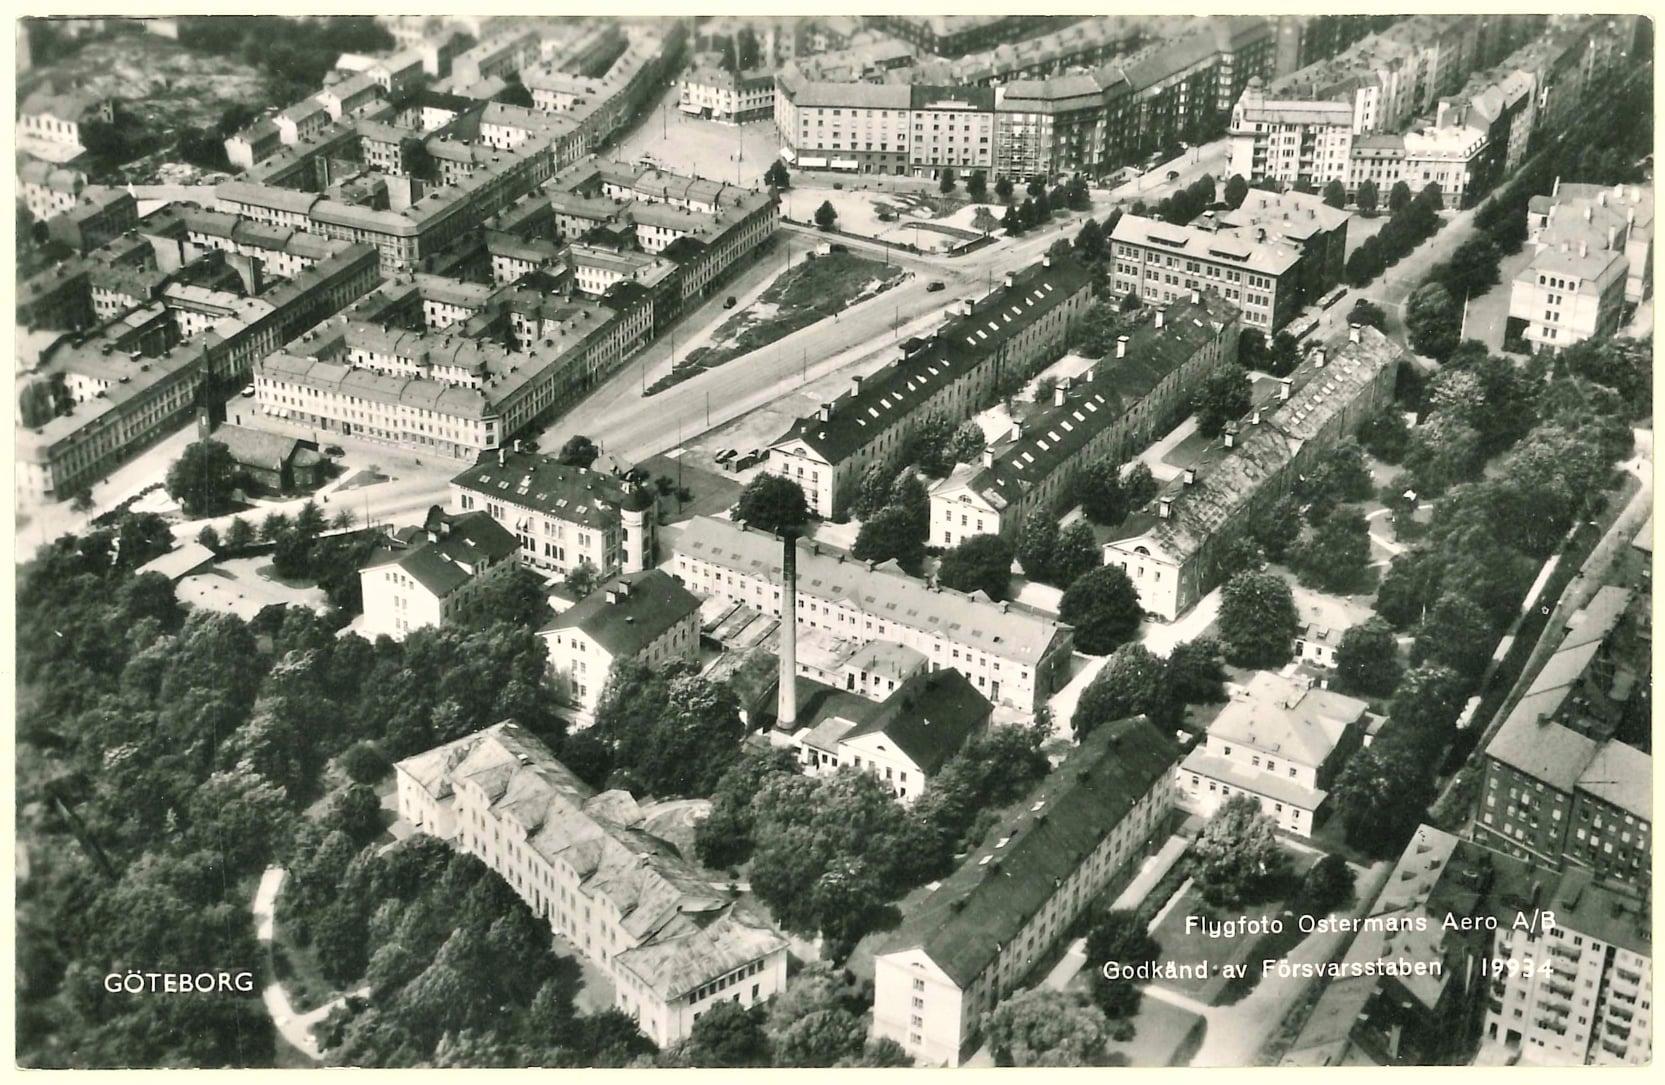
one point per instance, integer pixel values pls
(668, 943)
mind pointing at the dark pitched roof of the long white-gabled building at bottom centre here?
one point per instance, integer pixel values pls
(1000, 888)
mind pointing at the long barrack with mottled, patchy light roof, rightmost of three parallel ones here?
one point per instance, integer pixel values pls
(1171, 550)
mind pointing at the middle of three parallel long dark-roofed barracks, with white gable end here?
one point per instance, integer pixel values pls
(1118, 407)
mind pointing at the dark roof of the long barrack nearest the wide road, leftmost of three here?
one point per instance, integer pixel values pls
(902, 387)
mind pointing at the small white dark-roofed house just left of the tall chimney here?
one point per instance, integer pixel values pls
(640, 617)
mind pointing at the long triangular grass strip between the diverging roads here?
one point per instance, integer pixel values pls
(800, 297)
